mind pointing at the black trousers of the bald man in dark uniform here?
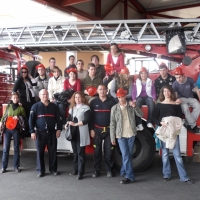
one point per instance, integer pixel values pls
(49, 139)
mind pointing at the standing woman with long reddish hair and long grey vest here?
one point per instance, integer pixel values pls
(79, 116)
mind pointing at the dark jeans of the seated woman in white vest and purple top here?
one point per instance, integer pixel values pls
(145, 101)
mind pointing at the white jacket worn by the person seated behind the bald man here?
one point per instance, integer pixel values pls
(55, 86)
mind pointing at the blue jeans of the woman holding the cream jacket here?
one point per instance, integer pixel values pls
(178, 159)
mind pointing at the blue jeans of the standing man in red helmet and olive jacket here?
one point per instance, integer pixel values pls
(126, 146)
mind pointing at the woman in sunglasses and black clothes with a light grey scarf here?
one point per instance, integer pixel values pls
(24, 86)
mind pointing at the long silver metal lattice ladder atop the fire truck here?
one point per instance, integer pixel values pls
(89, 34)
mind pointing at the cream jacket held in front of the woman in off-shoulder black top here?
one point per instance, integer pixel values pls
(169, 133)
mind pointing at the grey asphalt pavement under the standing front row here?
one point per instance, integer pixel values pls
(149, 184)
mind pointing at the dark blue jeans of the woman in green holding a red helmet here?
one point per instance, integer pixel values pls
(6, 147)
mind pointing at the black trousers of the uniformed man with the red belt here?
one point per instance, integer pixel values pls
(108, 149)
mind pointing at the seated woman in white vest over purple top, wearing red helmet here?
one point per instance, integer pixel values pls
(144, 92)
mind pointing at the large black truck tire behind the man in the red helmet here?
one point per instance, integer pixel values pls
(143, 153)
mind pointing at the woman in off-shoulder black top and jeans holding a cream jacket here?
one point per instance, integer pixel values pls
(166, 108)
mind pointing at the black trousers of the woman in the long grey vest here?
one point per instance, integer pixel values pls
(79, 155)
